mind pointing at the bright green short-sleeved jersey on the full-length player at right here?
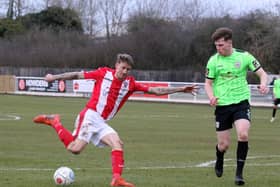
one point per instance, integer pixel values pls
(229, 75)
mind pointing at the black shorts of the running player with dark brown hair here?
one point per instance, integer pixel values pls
(227, 115)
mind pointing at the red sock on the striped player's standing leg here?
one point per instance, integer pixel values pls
(117, 163)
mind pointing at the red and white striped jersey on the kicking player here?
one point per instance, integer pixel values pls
(109, 93)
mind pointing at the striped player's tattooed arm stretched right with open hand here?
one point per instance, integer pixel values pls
(170, 90)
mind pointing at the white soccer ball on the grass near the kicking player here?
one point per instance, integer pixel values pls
(64, 176)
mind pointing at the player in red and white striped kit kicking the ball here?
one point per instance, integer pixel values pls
(111, 90)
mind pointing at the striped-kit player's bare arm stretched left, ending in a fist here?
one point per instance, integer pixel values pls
(64, 76)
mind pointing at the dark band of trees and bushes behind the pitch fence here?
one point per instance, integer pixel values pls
(55, 37)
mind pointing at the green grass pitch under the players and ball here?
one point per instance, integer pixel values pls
(163, 145)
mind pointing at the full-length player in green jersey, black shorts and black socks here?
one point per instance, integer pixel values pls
(227, 89)
